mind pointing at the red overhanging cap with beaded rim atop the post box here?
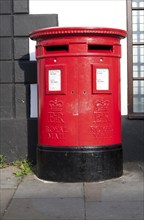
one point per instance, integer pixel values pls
(55, 32)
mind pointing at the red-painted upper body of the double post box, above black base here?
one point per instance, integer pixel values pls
(79, 86)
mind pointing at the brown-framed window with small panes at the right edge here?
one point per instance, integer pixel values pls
(135, 27)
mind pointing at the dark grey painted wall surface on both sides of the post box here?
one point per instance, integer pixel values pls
(18, 132)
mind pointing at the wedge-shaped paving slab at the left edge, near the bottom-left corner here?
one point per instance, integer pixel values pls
(5, 197)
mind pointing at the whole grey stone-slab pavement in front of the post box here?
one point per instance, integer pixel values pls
(29, 198)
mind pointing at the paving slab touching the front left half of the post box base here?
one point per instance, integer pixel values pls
(31, 187)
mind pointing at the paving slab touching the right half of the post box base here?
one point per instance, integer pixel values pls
(129, 187)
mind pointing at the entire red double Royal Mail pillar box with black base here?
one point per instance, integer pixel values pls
(79, 116)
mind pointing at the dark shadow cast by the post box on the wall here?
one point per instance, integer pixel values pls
(29, 71)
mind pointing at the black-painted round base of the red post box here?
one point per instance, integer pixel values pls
(79, 164)
